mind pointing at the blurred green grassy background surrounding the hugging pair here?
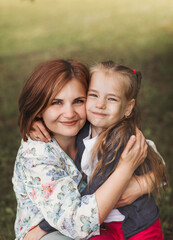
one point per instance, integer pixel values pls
(135, 33)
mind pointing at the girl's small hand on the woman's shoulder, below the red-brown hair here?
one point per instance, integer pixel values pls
(39, 132)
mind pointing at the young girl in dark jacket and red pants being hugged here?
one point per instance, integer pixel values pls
(113, 114)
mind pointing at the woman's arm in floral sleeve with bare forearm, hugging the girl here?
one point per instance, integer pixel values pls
(75, 212)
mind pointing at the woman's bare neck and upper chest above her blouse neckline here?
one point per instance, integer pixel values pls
(68, 144)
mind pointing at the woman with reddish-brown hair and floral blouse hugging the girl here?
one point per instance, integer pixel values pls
(45, 179)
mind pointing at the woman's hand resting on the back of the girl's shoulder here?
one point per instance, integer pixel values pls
(135, 151)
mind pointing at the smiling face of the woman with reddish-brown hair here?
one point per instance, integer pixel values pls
(67, 113)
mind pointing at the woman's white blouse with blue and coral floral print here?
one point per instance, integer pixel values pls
(46, 183)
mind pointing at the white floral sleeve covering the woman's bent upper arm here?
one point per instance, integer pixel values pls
(51, 185)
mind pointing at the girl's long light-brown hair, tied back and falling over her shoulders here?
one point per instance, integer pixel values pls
(116, 136)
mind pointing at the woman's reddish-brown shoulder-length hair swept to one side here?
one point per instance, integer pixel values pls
(45, 82)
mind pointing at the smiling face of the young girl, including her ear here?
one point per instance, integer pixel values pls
(106, 101)
